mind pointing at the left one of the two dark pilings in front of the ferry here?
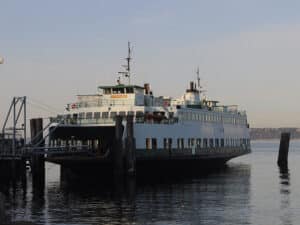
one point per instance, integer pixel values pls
(117, 151)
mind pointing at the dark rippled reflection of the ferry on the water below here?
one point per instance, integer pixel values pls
(206, 199)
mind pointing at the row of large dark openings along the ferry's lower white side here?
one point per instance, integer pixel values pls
(181, 143)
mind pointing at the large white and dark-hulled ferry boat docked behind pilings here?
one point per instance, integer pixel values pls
(169, 133)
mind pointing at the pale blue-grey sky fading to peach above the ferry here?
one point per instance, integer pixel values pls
(247, 51)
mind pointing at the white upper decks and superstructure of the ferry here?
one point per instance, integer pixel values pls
(189, 122)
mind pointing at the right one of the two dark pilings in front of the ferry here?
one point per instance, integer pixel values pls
(130, 160)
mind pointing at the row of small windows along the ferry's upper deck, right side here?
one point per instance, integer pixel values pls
(212, 117)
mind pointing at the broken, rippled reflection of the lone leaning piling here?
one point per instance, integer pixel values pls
(284, 177)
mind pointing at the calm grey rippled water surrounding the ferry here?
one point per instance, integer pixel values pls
(250, 191)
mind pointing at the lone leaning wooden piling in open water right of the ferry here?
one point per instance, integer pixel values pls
(282, 160)
